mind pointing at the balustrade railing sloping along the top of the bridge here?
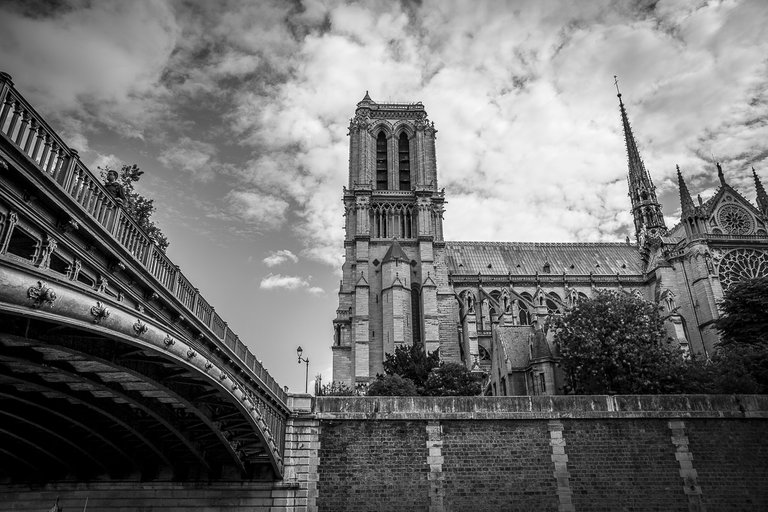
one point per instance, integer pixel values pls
(21, 125)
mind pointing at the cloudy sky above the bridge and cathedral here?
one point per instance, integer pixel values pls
(237, 111)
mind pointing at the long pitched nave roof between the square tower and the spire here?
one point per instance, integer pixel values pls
(529, 258)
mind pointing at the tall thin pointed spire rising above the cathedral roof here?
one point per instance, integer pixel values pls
(646, 210)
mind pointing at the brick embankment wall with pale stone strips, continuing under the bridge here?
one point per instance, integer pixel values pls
(562, 453)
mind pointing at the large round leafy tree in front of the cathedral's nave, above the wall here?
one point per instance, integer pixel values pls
(616, 343)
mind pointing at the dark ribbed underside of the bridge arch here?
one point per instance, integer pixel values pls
(78, 405)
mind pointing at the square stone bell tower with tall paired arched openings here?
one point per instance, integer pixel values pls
(394, 240)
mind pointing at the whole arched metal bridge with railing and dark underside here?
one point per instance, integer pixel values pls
(111, 363)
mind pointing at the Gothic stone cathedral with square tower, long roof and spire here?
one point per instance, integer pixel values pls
(489, 305)
